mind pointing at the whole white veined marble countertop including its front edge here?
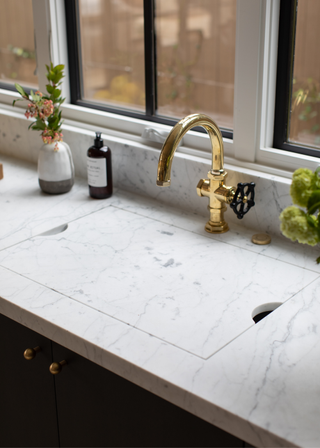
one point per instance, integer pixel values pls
(143, 290)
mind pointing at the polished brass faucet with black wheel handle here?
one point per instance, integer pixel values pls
(240, 199)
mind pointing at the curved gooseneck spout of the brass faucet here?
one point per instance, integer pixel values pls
(173, 140)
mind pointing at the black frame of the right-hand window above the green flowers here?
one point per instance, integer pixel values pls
(285, 64)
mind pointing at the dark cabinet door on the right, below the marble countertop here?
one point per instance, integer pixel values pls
(98, 408)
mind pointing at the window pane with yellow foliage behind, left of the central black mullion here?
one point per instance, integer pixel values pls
(112, 52)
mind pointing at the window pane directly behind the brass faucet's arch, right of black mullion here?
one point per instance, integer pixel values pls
(196, 58)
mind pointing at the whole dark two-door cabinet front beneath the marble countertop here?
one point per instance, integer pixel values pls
(85, 404)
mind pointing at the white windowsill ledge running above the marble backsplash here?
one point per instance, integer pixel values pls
(128, 130)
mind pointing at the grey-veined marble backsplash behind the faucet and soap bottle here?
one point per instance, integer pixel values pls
(135, 168)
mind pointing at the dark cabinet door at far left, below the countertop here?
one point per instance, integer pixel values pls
(27, 396)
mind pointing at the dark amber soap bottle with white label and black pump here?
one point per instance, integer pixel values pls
(99, 169)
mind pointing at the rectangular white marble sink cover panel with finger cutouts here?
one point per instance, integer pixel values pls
(192, 291)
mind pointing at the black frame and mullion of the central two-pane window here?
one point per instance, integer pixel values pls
(73, 42)
